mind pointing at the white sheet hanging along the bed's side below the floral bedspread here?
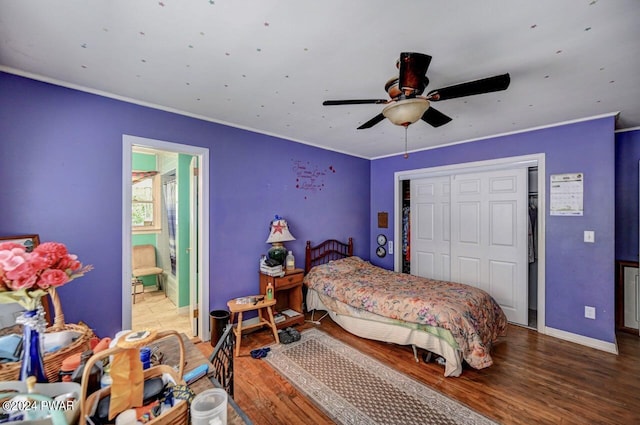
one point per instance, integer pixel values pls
(372, 326)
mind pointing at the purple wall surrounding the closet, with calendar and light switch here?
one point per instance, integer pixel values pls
(577, 273)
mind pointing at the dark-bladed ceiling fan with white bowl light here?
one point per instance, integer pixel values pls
(406, 104)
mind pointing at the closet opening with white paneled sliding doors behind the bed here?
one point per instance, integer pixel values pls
(478, 228)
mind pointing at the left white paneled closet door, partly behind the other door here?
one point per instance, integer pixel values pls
(430, 228)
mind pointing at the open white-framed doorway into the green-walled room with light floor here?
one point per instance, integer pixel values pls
(168, 304)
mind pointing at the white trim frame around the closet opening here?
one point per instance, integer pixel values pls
(532, 160)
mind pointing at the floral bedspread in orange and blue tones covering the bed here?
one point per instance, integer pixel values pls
(471, 315)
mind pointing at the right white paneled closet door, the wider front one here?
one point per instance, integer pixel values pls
(489, 236)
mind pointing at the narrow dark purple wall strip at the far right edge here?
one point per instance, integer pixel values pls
(627, 157)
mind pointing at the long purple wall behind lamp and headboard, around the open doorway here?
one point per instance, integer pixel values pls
(61, 169)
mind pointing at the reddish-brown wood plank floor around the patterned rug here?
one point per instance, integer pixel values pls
(535, 379)
